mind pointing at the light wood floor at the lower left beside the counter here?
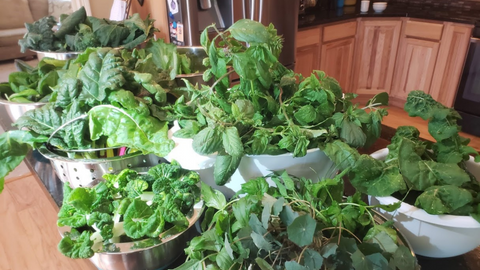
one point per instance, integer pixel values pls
(29, 236)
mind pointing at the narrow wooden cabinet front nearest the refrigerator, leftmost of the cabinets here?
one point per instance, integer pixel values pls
(308, 51)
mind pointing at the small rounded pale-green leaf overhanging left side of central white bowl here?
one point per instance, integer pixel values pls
(207, 141)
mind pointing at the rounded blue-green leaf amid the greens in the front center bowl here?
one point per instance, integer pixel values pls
(302, 230)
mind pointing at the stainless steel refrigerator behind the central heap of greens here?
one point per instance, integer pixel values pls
(188, 18)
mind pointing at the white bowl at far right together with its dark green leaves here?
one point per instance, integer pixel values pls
(435, 182)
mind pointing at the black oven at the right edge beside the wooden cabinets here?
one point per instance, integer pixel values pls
(467, 101)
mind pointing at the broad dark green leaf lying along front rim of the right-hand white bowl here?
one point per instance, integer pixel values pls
(439, 200)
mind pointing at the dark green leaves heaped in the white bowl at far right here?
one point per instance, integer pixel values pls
(434, 174)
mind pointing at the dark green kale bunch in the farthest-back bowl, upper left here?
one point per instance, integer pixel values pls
(78, 31)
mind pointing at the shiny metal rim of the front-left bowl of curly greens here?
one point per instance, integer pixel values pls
(126, 248)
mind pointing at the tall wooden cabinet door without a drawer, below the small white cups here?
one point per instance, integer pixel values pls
(376, 51)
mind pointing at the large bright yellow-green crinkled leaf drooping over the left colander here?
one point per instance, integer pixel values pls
(131, 129)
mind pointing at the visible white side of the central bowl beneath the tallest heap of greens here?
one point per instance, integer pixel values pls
(314, 165)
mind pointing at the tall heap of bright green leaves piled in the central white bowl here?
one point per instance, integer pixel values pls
(272, 110)
